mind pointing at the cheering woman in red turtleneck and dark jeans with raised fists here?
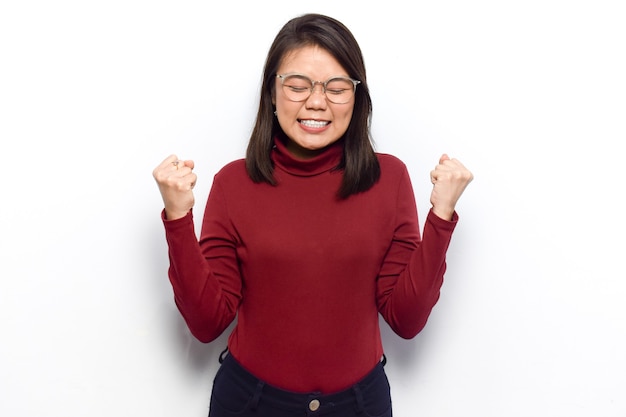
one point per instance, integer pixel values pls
(307, 240)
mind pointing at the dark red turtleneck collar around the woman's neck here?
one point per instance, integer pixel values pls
(325, 161)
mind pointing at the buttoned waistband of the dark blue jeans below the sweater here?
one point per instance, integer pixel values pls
(314, 403)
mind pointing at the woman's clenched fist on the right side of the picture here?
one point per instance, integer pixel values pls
(449, 179)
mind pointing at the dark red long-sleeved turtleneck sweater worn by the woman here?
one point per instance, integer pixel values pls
(307, 274)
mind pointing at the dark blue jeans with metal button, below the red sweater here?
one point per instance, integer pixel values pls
(236, 392)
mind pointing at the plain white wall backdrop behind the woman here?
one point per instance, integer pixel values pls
(530, 95)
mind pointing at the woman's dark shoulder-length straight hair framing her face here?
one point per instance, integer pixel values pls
(359, 163)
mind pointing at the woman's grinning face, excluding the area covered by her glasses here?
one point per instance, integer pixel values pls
(312, 124)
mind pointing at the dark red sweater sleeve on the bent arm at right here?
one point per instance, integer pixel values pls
(411, 276)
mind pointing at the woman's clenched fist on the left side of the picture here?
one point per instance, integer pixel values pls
(176, 181)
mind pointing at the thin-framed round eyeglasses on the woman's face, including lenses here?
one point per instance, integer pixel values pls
(298, 87)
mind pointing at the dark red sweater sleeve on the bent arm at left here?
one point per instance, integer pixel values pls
(204, 274)
